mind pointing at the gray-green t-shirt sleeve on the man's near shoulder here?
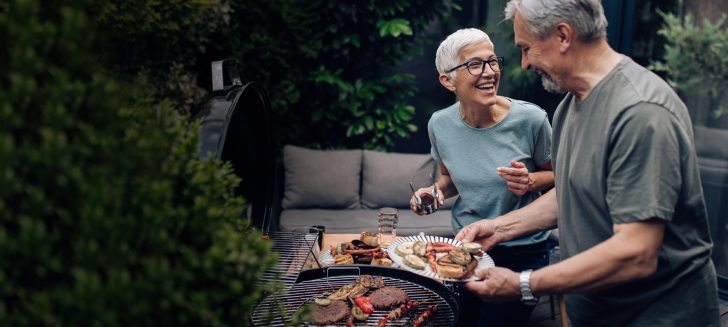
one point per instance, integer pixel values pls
(643, 168)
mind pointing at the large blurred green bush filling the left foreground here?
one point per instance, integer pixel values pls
(106, 218)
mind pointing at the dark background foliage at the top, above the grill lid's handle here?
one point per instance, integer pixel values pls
(163, 40)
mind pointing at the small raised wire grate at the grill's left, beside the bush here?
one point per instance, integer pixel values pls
(293, 249)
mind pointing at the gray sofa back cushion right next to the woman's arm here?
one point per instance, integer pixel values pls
(386, 177)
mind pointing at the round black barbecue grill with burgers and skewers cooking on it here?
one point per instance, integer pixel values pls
(278, 308)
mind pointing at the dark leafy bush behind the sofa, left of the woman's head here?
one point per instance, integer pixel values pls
(328, 66)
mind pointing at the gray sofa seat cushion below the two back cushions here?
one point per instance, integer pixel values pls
(356, 221)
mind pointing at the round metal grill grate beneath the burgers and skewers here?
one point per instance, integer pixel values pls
(281, 306)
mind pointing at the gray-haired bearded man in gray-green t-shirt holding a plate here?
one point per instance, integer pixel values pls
(634, 235)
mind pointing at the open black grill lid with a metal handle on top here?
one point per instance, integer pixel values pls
(236, 126)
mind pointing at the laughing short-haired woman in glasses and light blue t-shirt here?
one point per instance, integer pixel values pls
(492, 151)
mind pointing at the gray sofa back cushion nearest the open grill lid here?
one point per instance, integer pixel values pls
(321, 179)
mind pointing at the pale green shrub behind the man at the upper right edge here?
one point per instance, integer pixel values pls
(695, 57)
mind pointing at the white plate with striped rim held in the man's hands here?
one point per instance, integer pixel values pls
(483, 261)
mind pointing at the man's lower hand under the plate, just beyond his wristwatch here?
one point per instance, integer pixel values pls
(496, 285)
